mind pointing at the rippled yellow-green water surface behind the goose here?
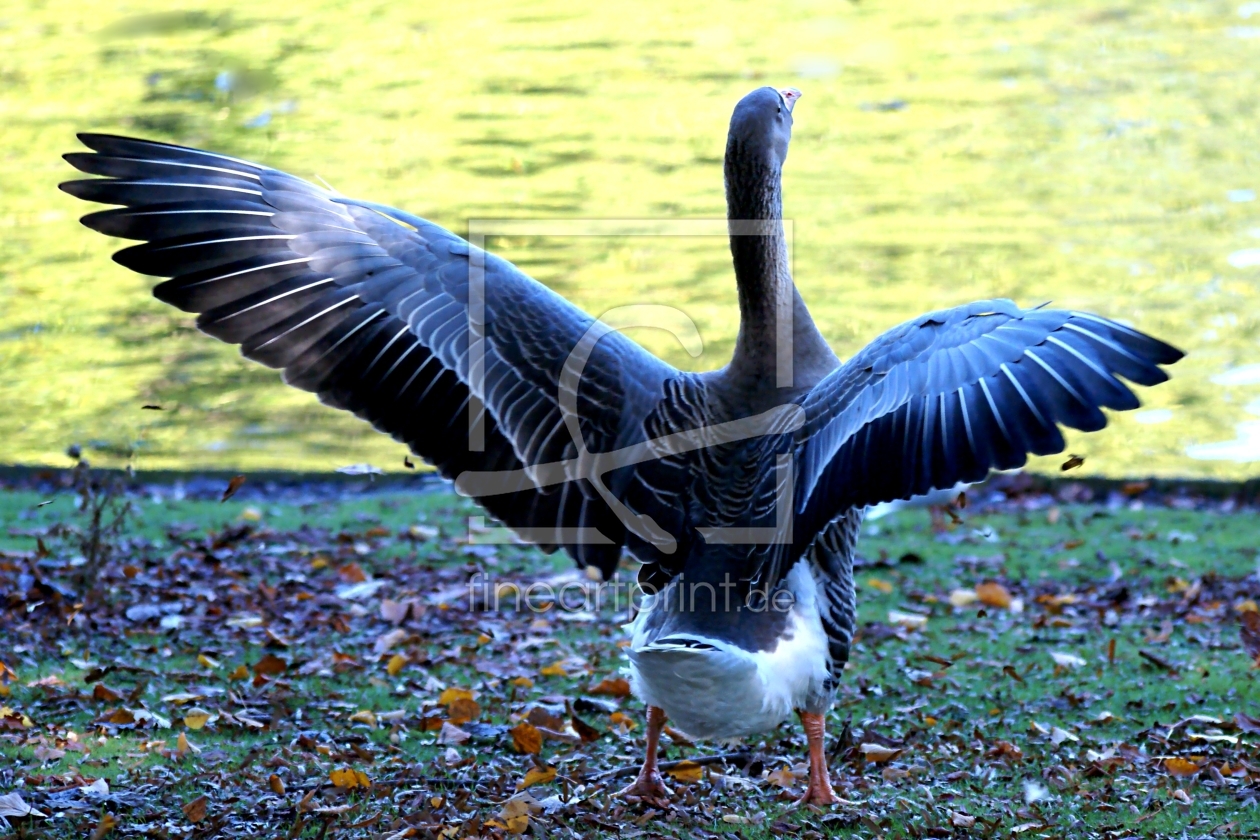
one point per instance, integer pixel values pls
(1097, 156)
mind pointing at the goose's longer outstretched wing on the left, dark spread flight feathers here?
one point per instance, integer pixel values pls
(374, 310)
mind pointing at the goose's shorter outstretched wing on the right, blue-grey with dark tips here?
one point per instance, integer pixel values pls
(953, 395)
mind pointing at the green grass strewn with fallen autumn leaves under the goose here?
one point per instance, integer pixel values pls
(313, 668)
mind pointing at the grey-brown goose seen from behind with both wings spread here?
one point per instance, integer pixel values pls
(740, 492)
